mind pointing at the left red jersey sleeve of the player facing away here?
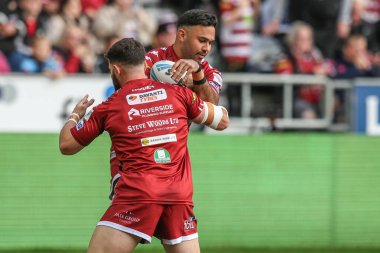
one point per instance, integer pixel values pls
(89, 127)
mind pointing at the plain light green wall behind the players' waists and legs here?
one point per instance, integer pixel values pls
(278, 190)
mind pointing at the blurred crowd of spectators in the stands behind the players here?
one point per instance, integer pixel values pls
(335, 38)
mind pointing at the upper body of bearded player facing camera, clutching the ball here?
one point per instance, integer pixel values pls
(195, 35)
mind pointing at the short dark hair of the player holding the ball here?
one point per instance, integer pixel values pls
(197, 17)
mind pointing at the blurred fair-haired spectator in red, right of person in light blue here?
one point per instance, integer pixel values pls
(77, 56)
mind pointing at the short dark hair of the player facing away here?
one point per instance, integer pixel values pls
(126, 51)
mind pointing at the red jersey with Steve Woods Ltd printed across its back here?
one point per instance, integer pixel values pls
(148, 125)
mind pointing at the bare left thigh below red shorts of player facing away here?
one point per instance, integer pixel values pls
(110, 240)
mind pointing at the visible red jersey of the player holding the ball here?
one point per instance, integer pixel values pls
(213, 76)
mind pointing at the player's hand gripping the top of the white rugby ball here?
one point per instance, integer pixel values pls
(182, 70)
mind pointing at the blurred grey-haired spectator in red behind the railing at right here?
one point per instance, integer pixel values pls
(302, 57)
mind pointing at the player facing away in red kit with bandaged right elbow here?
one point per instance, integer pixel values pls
(148, 125)
